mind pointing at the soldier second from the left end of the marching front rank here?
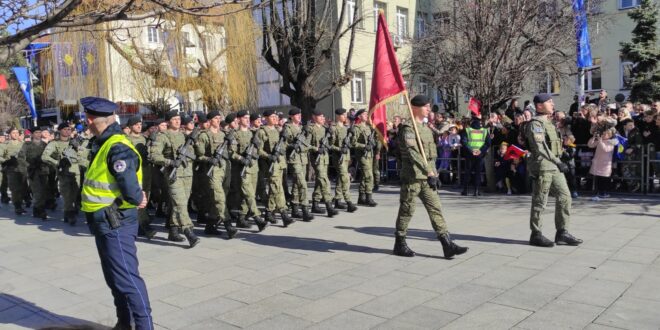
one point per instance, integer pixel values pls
(211, 149)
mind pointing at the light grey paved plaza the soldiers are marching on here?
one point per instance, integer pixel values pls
(339, 273)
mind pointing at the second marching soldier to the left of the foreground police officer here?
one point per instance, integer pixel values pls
(37, 173)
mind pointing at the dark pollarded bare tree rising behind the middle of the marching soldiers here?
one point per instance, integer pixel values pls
(299, 40)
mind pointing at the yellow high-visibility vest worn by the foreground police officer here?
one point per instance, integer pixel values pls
(100, 188)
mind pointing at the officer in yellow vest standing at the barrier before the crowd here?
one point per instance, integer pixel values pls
(476, 142)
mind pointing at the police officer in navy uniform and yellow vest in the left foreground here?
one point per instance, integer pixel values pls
(110, 194)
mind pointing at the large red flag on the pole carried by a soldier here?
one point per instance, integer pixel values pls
(387, 82)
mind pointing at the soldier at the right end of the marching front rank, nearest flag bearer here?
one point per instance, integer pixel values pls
(364, 143)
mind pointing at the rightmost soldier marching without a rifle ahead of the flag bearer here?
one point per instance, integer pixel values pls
(546, 169)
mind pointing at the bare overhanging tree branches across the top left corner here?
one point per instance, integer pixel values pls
(33, 18)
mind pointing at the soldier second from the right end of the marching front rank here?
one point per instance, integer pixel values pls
(341, 145)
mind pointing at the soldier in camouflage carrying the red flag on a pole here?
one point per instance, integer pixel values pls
(419, 179)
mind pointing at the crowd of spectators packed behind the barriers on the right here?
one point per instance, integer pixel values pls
(603, 144)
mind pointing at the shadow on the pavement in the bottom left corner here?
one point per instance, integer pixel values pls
(17, 312)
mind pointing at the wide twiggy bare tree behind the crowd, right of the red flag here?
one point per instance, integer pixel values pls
(491, 49)
